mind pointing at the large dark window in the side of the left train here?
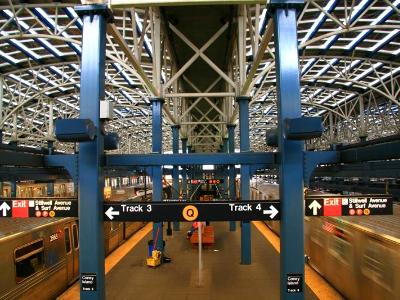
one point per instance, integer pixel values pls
(29, 259)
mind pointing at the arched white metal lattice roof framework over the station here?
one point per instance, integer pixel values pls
(349, 60)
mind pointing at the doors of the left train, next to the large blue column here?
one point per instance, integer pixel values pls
(71, 251)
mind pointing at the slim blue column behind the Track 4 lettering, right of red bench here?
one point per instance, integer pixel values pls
(244, 176)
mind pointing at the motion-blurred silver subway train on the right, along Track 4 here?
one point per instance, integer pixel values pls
(359, 256)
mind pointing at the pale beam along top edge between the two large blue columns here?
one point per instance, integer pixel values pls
(147, 3)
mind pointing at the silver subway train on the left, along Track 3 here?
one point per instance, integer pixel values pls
(39, 257)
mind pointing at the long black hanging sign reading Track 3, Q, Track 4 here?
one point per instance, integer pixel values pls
(192, 211)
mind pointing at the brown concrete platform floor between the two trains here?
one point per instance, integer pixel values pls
(223, 277)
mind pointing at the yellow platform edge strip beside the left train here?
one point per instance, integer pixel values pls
(114, 258)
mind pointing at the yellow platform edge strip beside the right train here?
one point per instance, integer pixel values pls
(320, 287)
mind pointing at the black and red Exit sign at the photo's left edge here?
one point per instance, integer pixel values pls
(38, 208)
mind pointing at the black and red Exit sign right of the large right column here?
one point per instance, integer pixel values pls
(335, 206)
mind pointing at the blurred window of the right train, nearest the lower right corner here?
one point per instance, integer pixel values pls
(375, 267)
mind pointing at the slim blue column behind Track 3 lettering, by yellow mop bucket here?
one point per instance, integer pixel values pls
(156, 139)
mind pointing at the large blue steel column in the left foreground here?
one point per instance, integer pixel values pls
(91, 178)
